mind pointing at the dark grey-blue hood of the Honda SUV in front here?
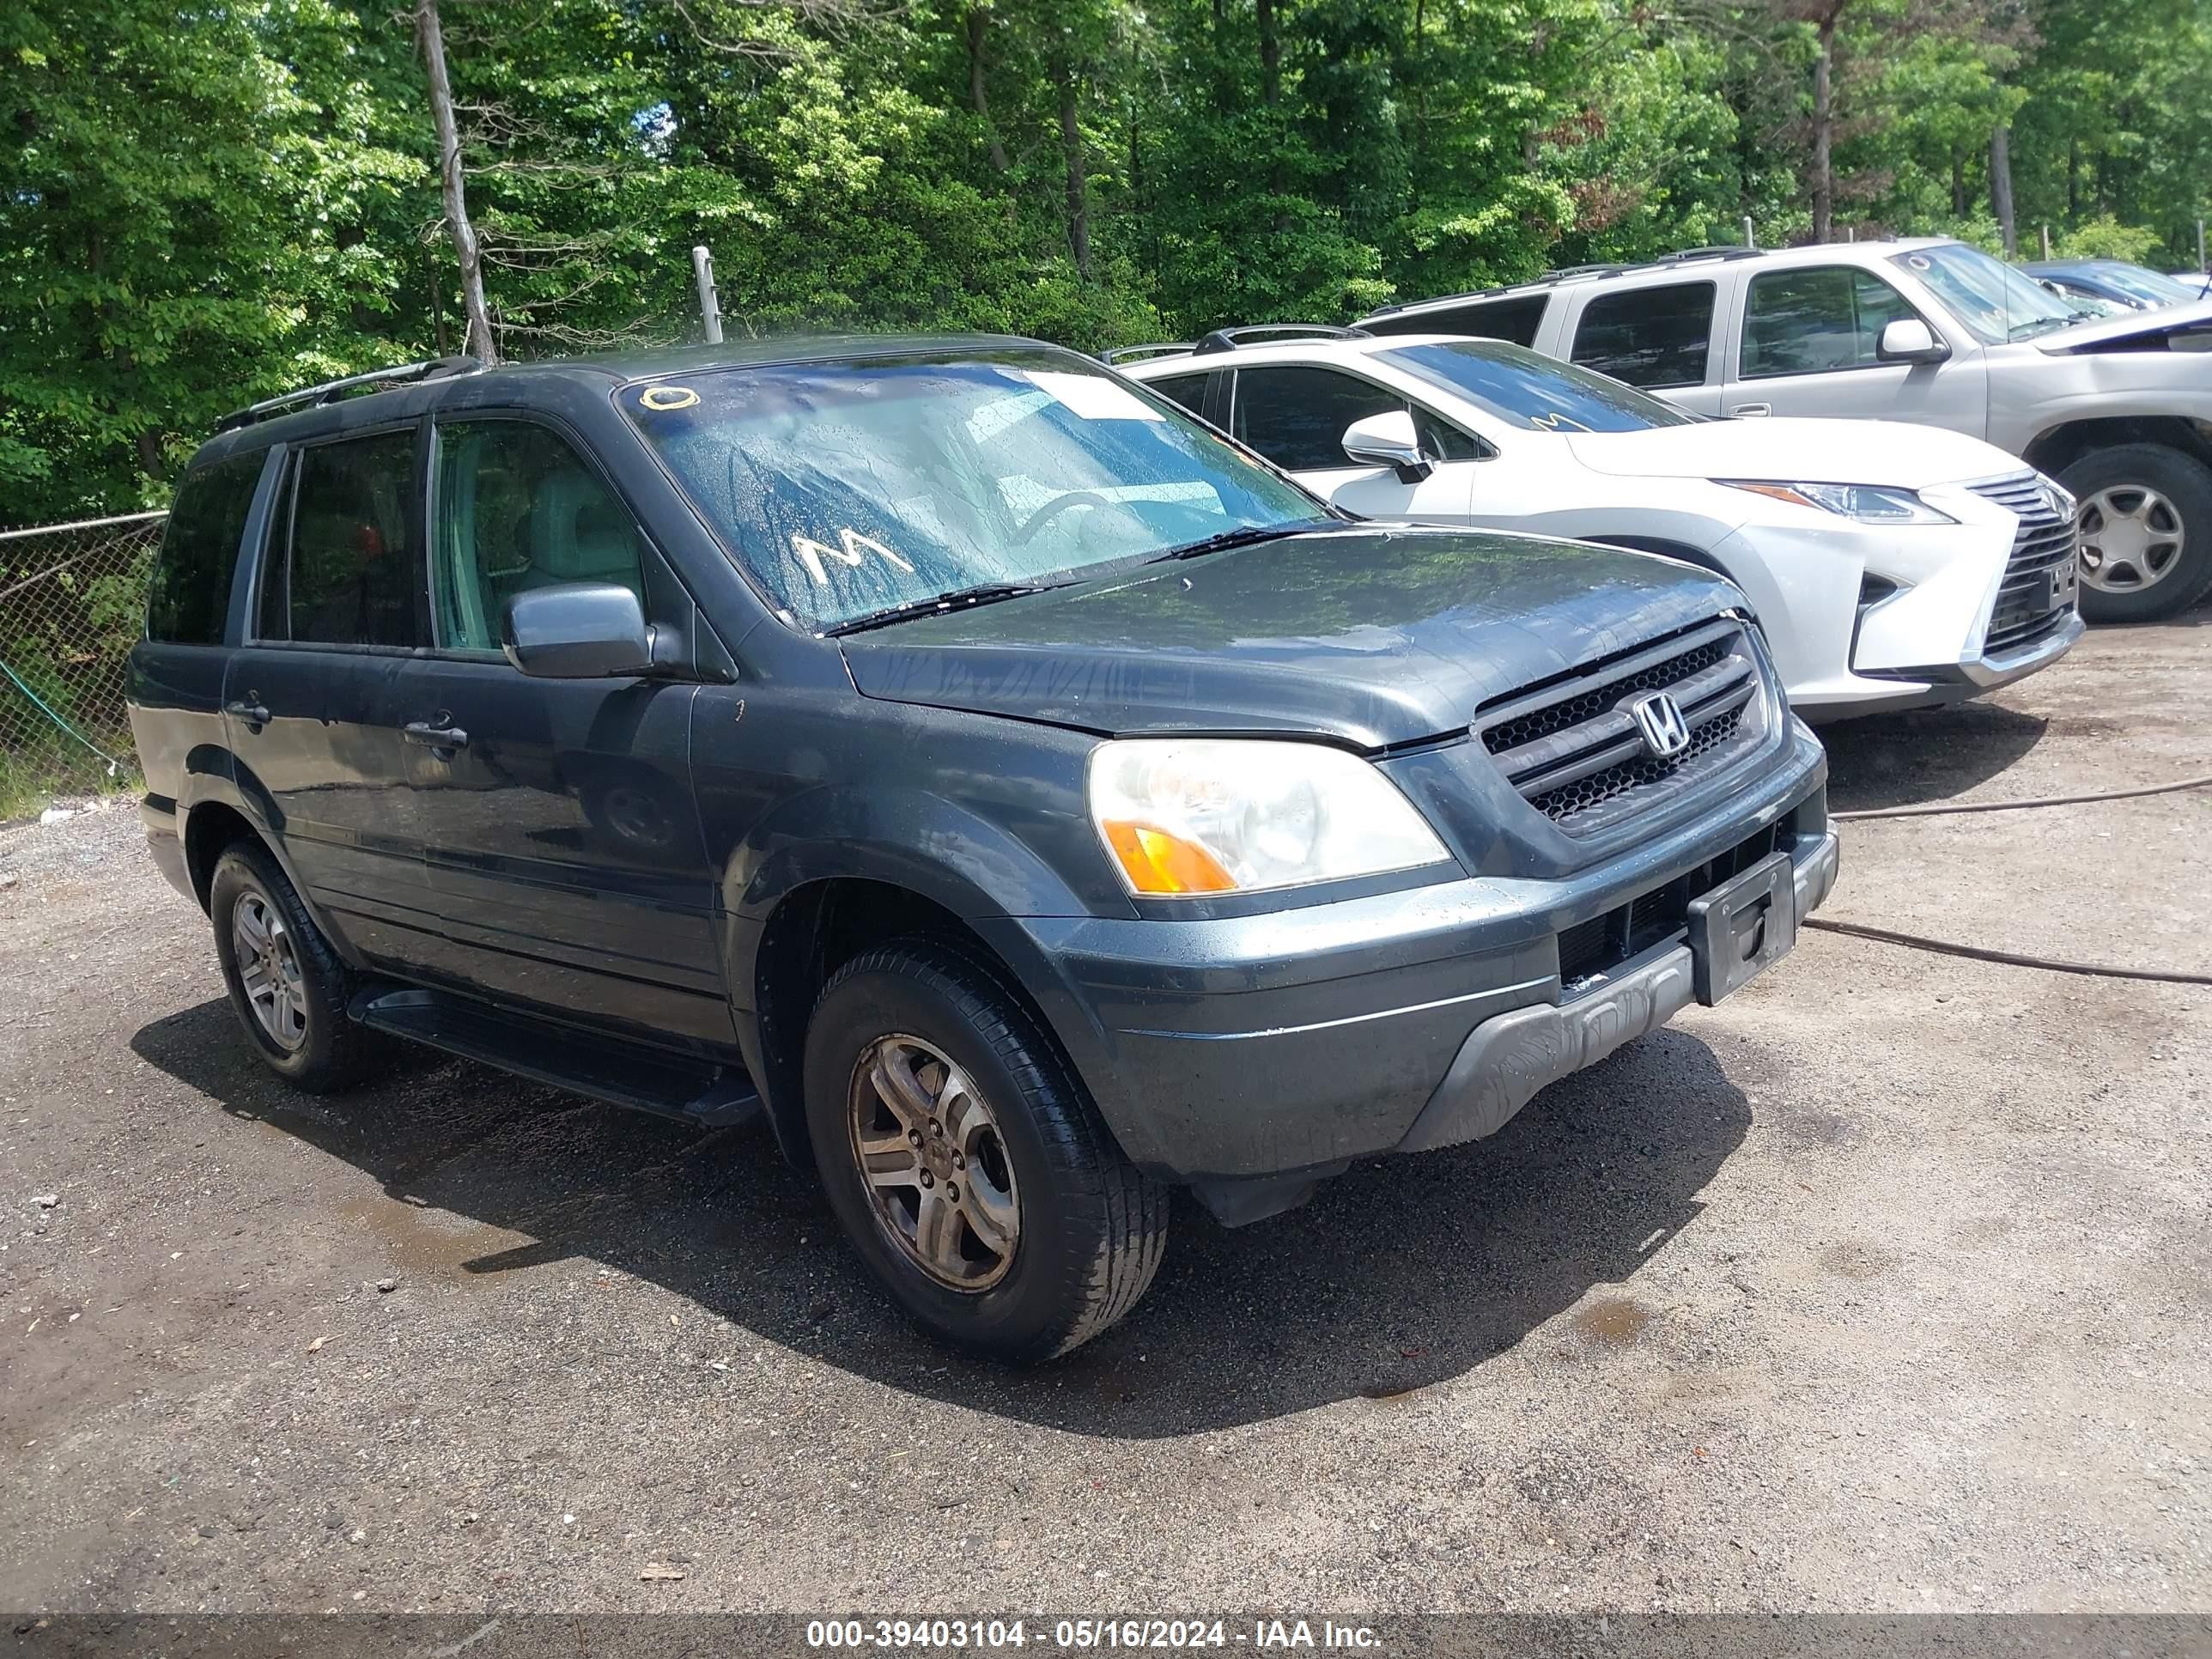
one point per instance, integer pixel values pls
(1366, 636)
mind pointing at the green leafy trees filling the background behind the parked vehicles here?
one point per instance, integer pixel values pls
(213, 205)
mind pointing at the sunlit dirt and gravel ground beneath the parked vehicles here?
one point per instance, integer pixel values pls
(1881, 1286)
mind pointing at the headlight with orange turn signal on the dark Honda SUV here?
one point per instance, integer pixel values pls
(1244, 815)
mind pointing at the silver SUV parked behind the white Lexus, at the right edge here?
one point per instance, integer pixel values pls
(1910, 331)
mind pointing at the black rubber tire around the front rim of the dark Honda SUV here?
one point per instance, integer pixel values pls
(1092, 1224)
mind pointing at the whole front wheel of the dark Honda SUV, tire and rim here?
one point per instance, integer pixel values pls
(968, 1165)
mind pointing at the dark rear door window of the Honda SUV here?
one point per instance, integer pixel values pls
(355, 570)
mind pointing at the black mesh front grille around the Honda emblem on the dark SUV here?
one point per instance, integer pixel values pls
(1576, 755)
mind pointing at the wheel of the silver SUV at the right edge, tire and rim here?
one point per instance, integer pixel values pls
(2147, 532)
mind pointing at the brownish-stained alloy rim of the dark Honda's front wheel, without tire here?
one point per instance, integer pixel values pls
(935, 1162)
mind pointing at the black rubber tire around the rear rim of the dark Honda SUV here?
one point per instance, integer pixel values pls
(333, 1052)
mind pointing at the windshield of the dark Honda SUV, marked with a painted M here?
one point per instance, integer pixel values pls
(857, 488)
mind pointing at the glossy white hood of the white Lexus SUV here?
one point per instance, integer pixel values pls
(1791, 450)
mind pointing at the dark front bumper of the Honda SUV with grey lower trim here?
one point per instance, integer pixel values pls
(1253, 1056)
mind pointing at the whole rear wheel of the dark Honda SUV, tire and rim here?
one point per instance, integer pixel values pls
(286, 983)
